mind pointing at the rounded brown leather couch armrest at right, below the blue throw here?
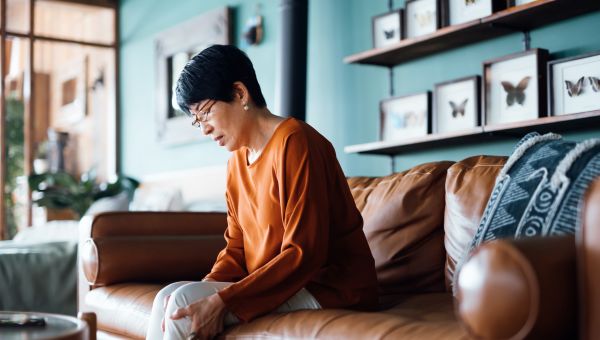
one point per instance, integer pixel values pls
(515, 289)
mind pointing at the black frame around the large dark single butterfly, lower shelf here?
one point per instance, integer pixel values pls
(542, 59)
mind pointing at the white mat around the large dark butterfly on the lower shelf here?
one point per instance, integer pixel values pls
(513, 71)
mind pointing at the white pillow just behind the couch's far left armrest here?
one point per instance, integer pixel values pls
(157, 199)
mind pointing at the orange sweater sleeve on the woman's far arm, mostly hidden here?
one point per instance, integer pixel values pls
(230, 265)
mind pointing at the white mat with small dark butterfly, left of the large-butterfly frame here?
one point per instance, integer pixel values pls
(456, 92)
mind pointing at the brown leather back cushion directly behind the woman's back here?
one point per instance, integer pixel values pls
(403, 221)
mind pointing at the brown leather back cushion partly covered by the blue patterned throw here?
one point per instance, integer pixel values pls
(469, 184)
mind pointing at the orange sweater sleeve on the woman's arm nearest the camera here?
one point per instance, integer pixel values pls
(301, 176)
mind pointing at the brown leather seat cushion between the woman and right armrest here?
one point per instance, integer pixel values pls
(425, 316)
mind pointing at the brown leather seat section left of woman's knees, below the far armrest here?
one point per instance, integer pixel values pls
(123, 309)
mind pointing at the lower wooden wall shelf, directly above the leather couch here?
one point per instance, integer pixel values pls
(572, 122)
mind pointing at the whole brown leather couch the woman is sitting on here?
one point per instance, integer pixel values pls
(418, 224)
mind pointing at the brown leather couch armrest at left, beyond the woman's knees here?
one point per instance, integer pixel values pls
(149, 246)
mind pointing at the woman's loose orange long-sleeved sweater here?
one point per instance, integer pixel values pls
(292, 223)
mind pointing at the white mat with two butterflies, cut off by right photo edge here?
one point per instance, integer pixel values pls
(587, 100)
